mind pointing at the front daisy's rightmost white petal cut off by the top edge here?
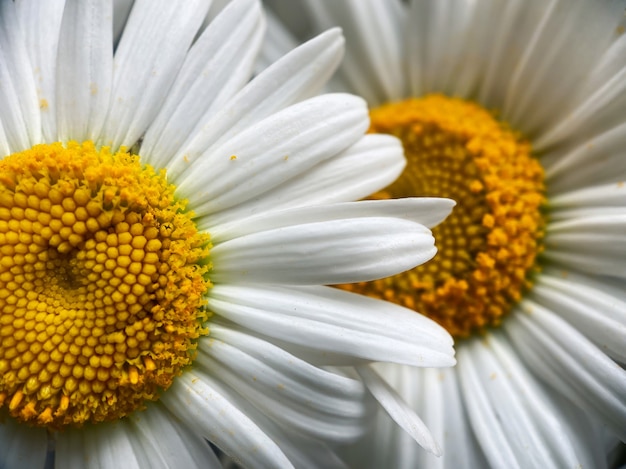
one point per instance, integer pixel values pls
(217, 66)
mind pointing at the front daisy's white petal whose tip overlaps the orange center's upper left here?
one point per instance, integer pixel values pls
(369, 165)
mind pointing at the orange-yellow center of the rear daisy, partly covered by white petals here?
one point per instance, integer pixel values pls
(488, 246)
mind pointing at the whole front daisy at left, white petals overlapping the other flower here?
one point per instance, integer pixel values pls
(166, 226)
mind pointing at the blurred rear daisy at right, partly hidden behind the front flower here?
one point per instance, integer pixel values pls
(515, 109)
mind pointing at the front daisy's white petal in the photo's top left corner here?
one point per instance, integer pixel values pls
(19, 103)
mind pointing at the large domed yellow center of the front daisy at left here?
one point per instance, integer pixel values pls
(102, 284)
